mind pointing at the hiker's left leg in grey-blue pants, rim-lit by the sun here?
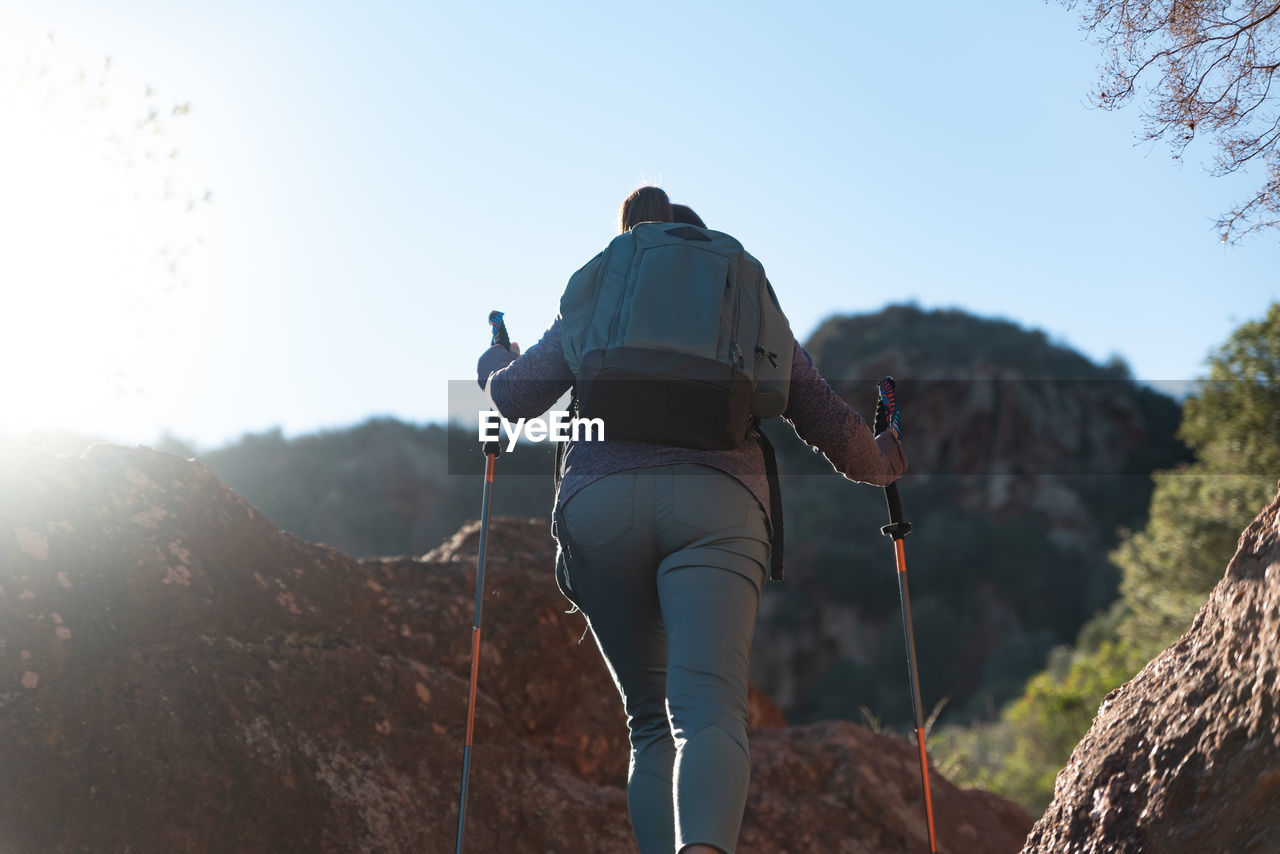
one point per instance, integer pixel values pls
(612, 570)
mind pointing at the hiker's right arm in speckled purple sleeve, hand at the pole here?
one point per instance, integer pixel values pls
(829, 426)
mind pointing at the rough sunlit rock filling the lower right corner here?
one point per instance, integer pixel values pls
(1186, 757)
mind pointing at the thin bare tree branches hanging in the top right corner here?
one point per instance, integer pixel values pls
(1209, 70)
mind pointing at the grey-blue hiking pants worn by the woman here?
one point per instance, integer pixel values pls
(668, 567)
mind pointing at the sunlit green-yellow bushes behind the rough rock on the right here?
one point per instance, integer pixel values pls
(1168, 570)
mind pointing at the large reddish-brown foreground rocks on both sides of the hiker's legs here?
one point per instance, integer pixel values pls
(179, 675)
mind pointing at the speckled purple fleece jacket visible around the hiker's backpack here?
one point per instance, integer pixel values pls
(532, 383)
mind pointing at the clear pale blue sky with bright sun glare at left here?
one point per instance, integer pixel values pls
(348, 190)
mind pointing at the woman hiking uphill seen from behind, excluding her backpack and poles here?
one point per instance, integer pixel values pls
(666, 550)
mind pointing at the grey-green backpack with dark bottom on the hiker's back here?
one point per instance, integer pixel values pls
(676, 337)
